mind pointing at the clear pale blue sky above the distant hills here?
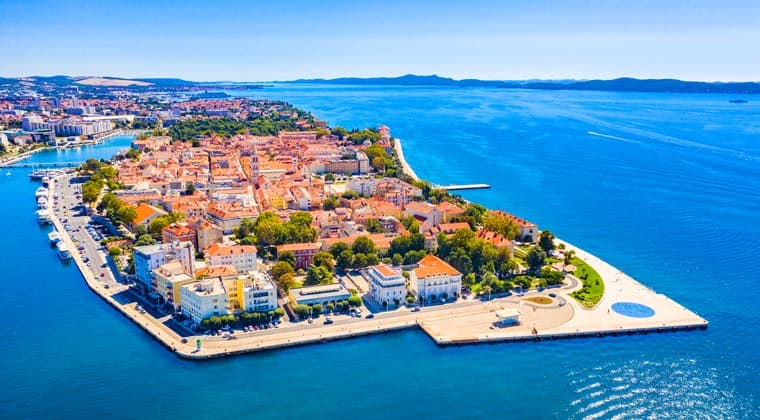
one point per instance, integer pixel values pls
(278, 40)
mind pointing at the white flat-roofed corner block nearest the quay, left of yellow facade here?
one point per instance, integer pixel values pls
(203, 299)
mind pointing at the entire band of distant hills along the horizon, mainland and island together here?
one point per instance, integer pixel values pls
(625, 84)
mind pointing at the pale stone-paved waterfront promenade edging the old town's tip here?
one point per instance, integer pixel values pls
(457, 323)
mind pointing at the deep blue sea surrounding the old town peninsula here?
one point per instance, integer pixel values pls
(664, 186)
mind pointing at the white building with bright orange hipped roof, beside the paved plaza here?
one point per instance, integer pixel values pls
(435, 280)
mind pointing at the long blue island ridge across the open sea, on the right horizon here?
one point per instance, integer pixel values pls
(625, 84)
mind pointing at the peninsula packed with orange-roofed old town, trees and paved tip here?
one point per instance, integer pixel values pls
(239, 225)
